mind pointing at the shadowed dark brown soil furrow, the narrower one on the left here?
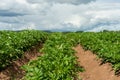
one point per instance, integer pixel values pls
(14, 71)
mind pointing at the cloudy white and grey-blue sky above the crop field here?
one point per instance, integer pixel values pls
(60, 15)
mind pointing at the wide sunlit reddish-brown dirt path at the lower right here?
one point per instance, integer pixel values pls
(93, 69)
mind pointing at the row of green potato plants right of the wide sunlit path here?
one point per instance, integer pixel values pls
(105, 44)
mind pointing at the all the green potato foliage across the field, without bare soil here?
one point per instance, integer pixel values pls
(58, 61)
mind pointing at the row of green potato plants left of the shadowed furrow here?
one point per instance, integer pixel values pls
(14, 43)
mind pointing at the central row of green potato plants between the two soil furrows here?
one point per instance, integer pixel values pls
(58, 61)
